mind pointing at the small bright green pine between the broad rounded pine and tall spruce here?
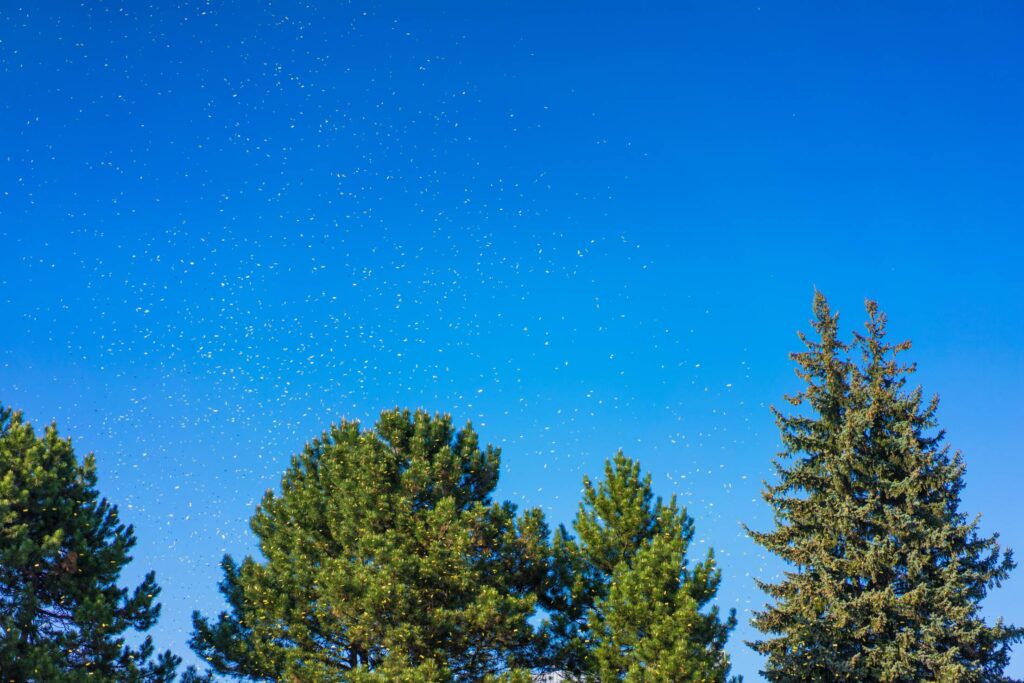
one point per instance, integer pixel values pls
(625, 604)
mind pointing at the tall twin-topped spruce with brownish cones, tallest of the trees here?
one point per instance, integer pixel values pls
(886, 574)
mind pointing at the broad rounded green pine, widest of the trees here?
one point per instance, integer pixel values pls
(385, 560)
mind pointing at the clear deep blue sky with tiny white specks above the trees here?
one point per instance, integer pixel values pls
(582, 226)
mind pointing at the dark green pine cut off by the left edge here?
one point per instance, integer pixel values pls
(63, 616)
